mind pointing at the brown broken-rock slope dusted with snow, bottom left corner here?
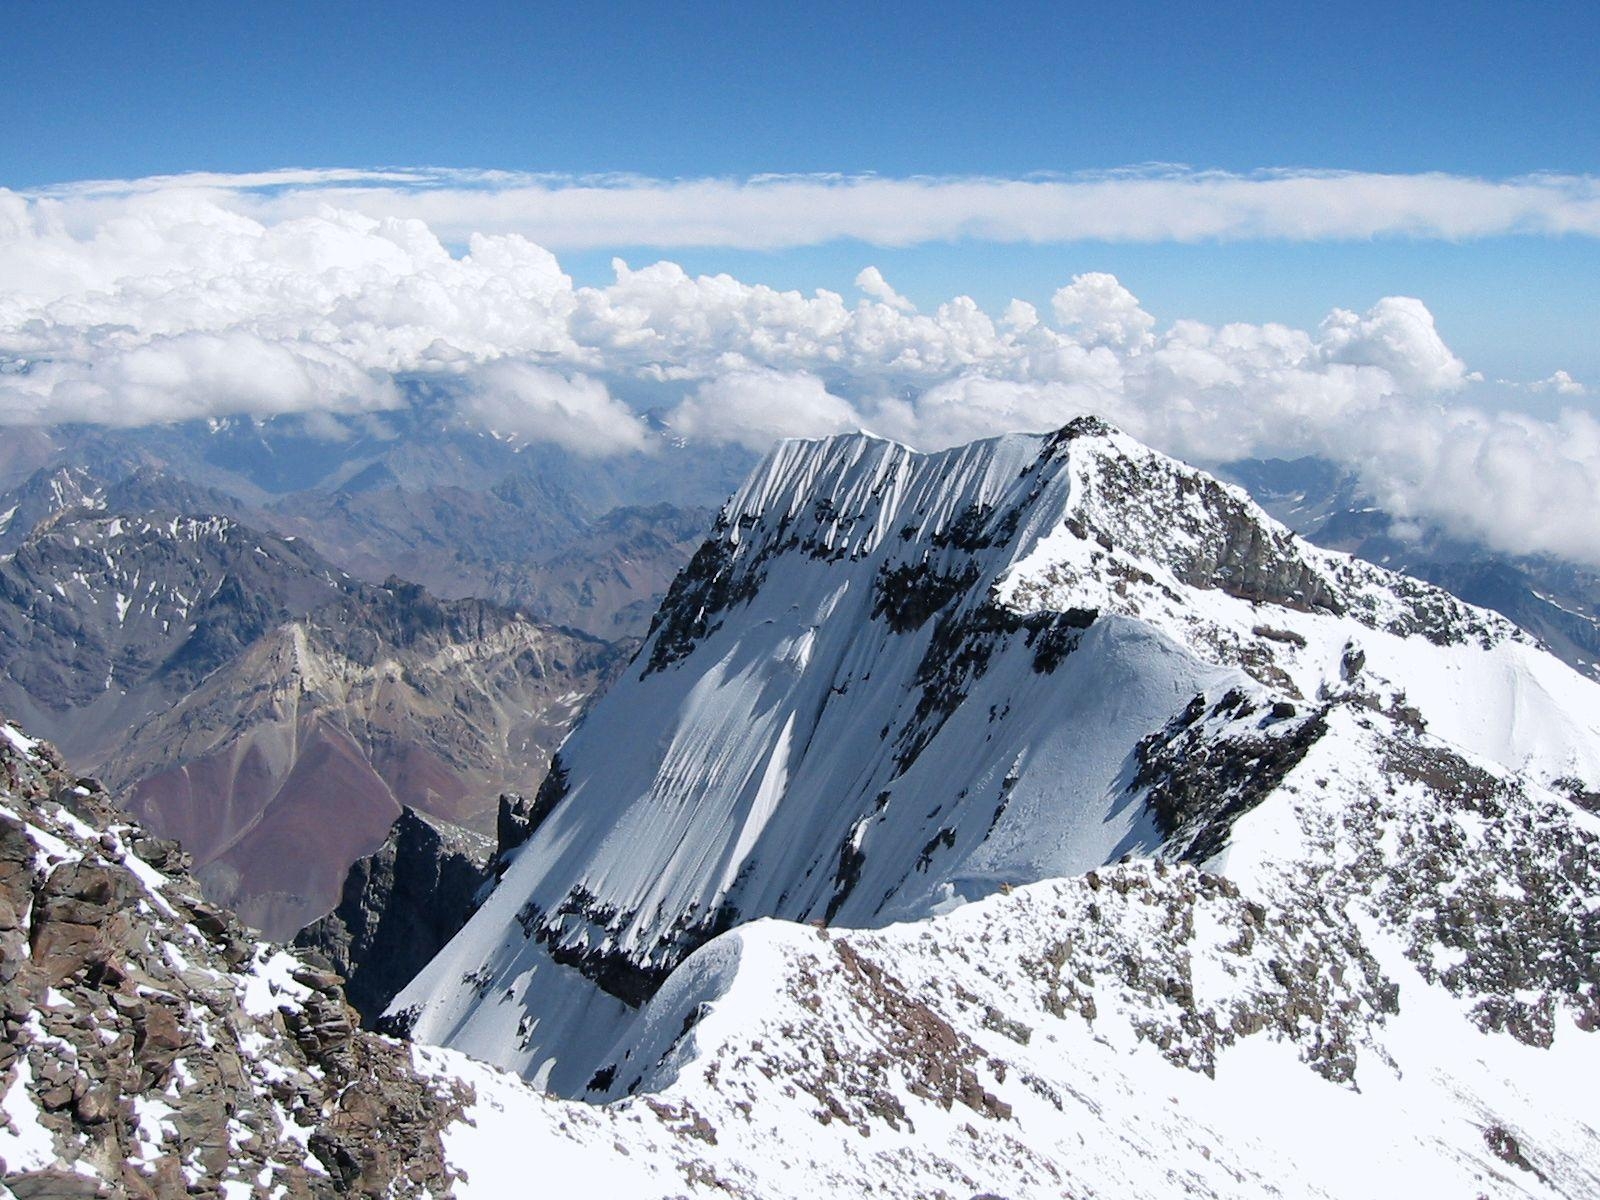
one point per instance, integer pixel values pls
(150, 1047)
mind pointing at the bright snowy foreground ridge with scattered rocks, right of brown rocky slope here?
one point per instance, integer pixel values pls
(1327, 1020)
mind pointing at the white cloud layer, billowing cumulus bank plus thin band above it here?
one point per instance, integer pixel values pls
(170, 300)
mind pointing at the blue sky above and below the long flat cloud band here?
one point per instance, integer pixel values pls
(100, 90)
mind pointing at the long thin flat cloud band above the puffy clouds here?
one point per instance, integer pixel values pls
(778, 212)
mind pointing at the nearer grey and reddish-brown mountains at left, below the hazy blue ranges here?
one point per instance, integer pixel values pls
(265, 708)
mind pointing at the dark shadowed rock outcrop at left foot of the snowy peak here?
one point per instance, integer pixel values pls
(401, 906)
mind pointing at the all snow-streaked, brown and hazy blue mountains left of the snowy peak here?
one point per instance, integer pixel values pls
(225, 620)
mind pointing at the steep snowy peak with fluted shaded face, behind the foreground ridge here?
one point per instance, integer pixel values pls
(892, 684)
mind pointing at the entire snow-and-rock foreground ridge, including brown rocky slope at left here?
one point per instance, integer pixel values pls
(1138, 1030)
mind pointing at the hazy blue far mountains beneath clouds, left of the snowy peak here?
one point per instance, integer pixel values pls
(415, 494)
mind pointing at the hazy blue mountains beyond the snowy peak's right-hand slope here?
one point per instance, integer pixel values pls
(1556, 601)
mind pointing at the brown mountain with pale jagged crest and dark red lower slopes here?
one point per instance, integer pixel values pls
(284, 769)
